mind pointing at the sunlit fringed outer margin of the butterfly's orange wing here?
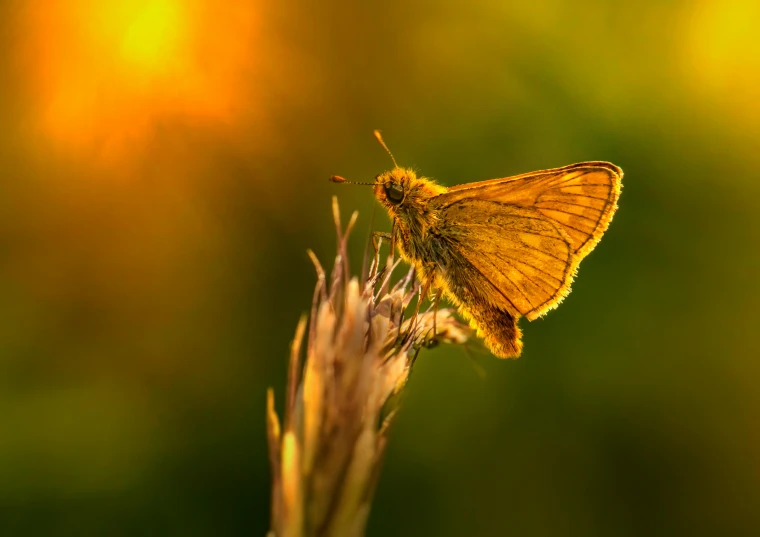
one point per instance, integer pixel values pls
(608, 212)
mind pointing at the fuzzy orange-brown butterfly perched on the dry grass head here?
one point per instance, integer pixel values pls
(503, 248)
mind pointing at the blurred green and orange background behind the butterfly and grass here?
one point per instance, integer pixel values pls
(164, 168)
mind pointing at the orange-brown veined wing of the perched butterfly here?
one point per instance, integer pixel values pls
(524, 236)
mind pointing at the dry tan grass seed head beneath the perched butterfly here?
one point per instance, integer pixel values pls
(340, 403)
